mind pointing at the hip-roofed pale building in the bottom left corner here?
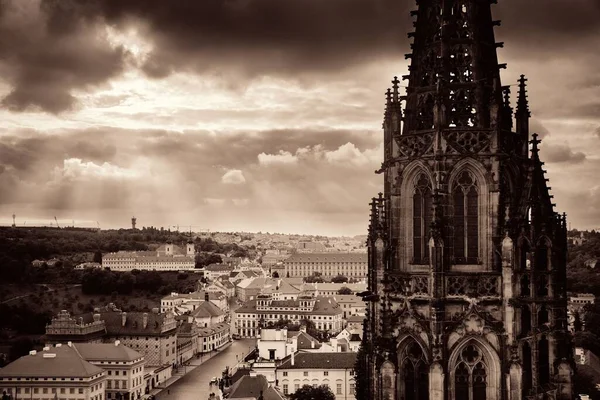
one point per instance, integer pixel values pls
(55, 372)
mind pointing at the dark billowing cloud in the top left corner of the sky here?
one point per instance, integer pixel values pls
(48, 51)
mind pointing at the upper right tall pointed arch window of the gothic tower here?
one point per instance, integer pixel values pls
(466, 219)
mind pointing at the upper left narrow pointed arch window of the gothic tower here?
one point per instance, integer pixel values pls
(422, 215)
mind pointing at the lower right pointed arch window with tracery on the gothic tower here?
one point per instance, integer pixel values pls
(470, 375)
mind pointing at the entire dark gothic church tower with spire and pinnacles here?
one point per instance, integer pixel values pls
(466, 294)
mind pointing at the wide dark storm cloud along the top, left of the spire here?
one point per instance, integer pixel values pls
(265, 36)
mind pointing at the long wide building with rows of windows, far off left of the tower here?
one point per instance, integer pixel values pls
(351, 265)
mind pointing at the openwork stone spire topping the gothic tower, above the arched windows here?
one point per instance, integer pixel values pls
(454, 76)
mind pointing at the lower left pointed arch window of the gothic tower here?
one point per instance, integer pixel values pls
(415, 375)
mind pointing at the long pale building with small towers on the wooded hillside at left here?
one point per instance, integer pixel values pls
(166, 258)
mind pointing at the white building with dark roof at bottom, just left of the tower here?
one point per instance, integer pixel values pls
(335, 370)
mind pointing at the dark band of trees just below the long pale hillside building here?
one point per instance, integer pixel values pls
(105, 282)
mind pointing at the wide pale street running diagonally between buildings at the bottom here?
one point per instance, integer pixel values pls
(194, 385)
